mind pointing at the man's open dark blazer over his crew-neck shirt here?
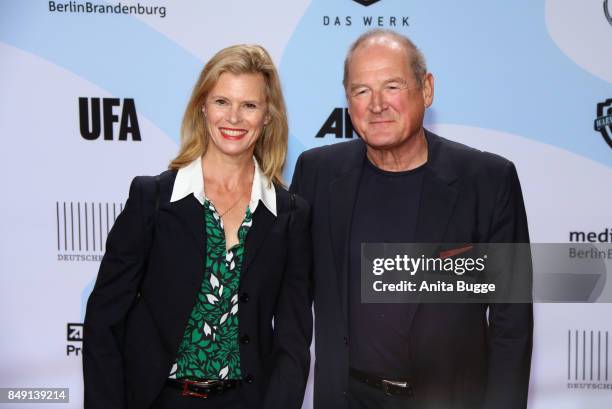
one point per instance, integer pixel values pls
(459, 360)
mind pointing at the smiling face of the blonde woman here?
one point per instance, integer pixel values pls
(236, 112)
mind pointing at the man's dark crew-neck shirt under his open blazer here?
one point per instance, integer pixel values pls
(385, 212)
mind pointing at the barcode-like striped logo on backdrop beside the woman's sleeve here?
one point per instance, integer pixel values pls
(82, 229)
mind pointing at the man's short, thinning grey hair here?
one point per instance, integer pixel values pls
(414, 55)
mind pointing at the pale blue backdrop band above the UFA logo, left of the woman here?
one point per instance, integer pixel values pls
(118, 53)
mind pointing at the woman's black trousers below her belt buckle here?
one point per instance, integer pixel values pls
(171, 398)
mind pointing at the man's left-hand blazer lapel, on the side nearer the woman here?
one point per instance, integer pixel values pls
(342, 194)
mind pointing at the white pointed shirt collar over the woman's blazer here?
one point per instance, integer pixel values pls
(189, 180)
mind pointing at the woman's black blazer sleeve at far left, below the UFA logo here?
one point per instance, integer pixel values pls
(114, 292)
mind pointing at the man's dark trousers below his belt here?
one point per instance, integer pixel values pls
(362, 396)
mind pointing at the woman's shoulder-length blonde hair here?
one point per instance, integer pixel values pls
(271, 147)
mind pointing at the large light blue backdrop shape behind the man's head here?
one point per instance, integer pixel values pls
(494, 63)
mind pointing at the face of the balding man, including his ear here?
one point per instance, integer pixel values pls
(385, 102)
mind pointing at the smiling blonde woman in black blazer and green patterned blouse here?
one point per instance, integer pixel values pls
(203, 295)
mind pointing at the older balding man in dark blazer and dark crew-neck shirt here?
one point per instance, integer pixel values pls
(402, 183)
